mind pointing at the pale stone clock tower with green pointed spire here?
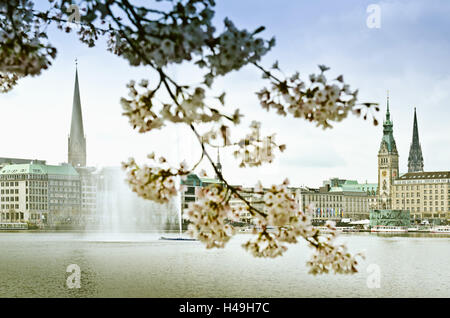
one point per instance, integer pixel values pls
(387, 163)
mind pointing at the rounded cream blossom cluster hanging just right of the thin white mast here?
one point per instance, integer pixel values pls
(209, 215)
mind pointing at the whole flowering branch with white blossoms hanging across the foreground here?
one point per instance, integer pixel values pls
(176, 31)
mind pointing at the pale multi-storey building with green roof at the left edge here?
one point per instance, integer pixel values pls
(39, 193)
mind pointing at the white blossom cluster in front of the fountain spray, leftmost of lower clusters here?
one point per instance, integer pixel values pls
(153, 182)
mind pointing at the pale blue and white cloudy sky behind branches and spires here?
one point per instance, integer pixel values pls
(408, 55)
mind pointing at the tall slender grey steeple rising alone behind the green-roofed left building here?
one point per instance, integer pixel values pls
(77, 140)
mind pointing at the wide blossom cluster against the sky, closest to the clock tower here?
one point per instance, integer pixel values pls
(321, 101)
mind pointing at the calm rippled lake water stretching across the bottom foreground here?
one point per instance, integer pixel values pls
(33, 264)
